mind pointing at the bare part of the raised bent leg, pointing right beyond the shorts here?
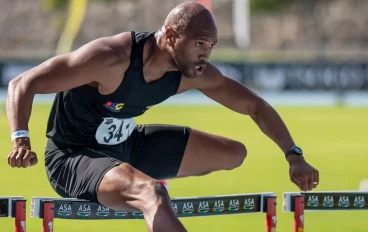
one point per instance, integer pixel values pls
(206, 153)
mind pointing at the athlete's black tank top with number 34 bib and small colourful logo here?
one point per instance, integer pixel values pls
(81, 117)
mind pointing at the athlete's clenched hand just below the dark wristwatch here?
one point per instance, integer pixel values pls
(302, 174)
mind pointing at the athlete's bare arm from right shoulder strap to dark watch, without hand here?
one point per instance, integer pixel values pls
(239, 98)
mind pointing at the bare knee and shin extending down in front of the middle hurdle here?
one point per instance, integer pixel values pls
(125, 187)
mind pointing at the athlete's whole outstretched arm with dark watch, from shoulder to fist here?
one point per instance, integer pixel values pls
(237, 97)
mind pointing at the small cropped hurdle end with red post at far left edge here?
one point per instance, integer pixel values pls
(14, 207)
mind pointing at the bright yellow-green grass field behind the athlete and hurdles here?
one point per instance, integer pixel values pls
(335, 140)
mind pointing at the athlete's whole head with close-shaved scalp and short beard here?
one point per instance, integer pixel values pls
(190, 33)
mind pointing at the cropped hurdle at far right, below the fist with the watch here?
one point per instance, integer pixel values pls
(300, 202)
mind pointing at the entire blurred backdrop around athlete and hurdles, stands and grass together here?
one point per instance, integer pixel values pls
(308, 58)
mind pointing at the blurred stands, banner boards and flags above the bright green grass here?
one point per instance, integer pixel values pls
(293, 52)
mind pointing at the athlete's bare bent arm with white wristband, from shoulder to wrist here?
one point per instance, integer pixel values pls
(96, 62)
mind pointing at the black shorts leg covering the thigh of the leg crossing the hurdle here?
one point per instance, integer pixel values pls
(78, 173)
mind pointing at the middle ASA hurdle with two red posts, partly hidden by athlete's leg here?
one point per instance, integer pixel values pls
(49, 209)
